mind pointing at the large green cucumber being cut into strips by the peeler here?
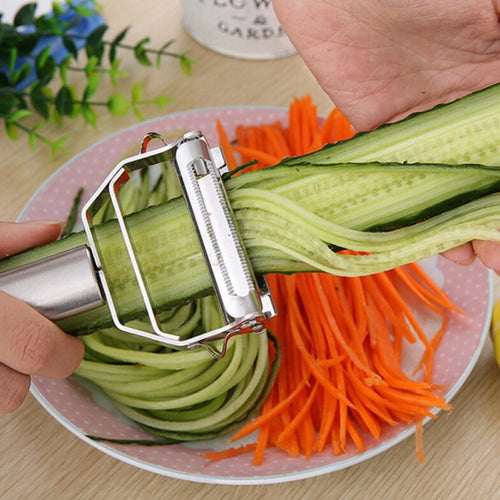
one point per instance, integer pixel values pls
(295, 216)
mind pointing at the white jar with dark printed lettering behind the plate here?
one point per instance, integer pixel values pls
(246, 29)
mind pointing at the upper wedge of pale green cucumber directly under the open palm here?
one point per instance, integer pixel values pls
(464, 131)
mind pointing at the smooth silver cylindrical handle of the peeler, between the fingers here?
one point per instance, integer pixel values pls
(58, 286)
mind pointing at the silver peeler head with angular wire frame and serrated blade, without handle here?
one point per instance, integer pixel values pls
(244, 301)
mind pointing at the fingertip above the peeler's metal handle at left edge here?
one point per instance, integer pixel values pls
(17, 236)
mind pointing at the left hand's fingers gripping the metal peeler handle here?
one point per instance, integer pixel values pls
(30, 344)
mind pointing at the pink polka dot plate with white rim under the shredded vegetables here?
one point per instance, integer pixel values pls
(85, 412)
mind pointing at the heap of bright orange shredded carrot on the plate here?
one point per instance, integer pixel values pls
(340, 377)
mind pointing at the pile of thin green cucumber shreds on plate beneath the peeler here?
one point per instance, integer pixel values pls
(177, 395)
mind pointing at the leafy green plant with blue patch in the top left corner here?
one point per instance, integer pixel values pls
(41, 57)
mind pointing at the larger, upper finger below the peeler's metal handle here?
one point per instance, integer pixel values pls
(32, 344)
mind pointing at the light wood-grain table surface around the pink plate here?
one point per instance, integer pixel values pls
(41, 459)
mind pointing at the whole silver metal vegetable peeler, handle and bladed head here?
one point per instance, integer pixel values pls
(244, 300)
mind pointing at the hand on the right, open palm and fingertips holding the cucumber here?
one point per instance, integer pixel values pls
(381, 61)
